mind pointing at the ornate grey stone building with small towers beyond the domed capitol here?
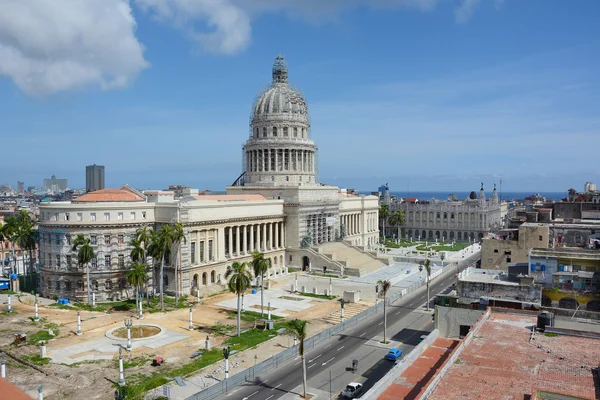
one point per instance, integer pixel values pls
(467, 220)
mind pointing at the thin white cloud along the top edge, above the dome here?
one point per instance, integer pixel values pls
(225, 26)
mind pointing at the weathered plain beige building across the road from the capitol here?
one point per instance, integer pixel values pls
(512, 246)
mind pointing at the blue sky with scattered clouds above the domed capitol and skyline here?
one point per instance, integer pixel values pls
(421, 94)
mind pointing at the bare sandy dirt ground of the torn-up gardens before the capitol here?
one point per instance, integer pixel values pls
(95, 379)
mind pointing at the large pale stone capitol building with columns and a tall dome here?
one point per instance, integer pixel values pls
(276, 206)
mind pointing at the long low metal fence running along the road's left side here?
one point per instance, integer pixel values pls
(250, 374)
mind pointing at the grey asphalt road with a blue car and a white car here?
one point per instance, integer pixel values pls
(406, 321)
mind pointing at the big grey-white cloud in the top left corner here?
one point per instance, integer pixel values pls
(48, 47)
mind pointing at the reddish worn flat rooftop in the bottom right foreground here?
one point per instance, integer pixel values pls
(501, 363)
